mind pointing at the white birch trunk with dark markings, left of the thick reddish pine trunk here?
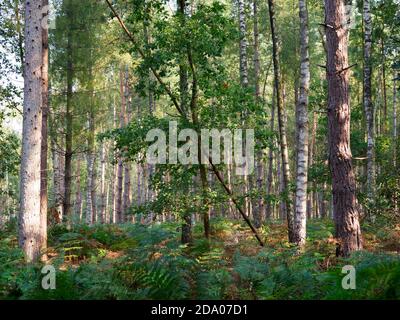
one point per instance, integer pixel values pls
(300, 216)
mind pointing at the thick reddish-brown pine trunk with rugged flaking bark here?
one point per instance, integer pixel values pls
(345, 208)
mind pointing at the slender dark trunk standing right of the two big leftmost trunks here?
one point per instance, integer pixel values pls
(68, 124)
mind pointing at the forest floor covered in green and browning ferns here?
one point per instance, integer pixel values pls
(133, 261)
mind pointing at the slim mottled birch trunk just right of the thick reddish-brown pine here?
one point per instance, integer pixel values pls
(368, 106)
